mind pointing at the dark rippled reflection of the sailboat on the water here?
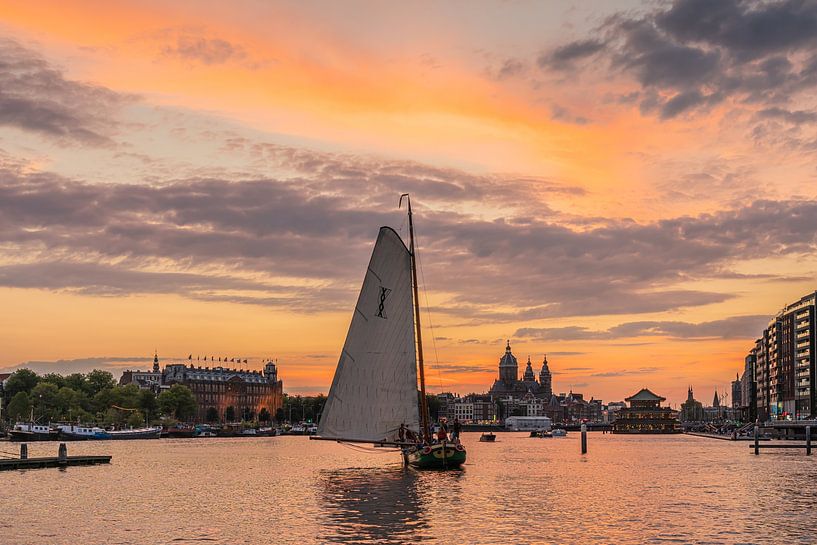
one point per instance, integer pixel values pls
(372, 505)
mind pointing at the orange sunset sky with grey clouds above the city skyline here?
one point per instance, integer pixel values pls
(628, 187)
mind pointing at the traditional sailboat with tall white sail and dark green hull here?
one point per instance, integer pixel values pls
(373, 397)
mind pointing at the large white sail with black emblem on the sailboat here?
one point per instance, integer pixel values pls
(375, 384)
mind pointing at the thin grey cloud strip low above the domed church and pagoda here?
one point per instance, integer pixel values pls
(736, 327)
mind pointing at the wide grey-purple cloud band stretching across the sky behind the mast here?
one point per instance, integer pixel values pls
(238, 240)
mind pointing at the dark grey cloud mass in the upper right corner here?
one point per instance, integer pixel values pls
(688, 55)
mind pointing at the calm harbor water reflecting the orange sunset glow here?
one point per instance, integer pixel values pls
(639, 489)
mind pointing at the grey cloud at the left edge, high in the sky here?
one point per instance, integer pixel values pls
(36, 97)
